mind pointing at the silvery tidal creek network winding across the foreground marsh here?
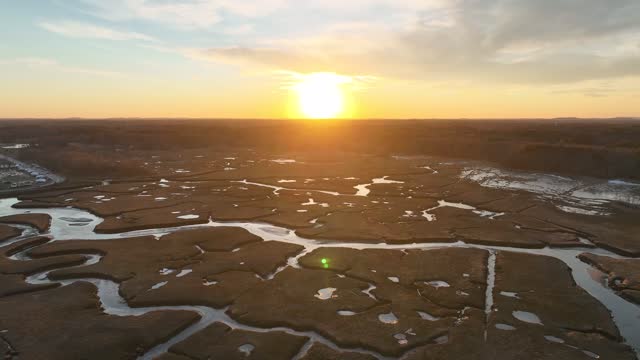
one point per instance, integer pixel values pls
(70, 223)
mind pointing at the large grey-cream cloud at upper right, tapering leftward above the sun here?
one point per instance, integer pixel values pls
(522, 41)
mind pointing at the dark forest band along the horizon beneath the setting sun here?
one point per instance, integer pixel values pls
(604, 148)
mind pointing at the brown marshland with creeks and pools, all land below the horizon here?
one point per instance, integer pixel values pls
(198, 239)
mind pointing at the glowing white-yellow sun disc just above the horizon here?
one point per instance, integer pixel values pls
(321, 96)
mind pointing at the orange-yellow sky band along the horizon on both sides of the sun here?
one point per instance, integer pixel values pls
(386, 99)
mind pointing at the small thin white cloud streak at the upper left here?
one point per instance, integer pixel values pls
(85, 30)
